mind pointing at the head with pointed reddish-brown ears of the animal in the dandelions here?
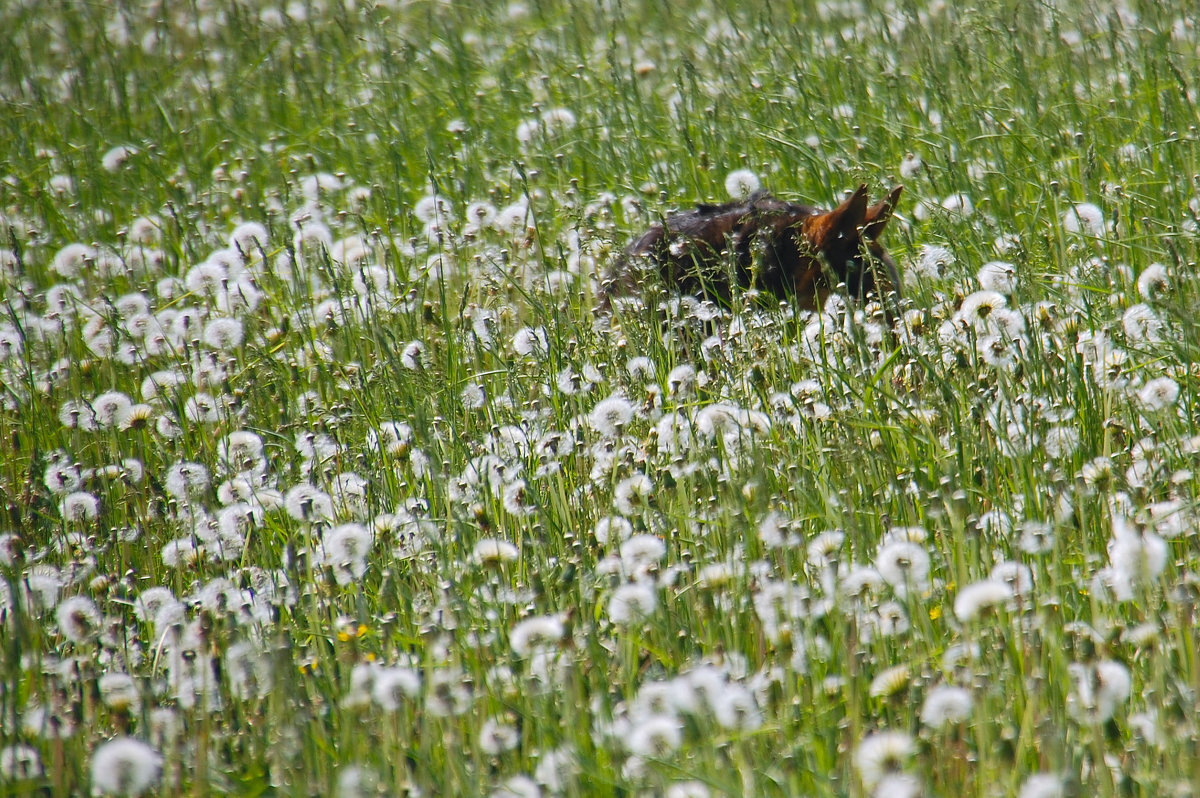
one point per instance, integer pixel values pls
(848, 241)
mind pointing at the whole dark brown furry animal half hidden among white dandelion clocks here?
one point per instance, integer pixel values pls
(793, 251)
